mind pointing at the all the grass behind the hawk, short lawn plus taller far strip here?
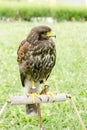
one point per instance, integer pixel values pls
(69, 74)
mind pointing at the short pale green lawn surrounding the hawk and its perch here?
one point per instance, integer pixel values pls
(69, 76)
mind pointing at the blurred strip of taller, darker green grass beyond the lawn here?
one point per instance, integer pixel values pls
(27, 10)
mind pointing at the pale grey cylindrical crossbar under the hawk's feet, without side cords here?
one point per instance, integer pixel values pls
(20, 100)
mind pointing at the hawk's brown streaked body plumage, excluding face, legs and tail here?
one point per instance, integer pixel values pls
(37, 58)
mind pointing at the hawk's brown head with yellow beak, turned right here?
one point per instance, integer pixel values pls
(40, 33)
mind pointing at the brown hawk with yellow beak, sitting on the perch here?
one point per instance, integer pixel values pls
(36, 57)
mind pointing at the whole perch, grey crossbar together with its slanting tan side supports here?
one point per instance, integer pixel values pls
(20, 100)
